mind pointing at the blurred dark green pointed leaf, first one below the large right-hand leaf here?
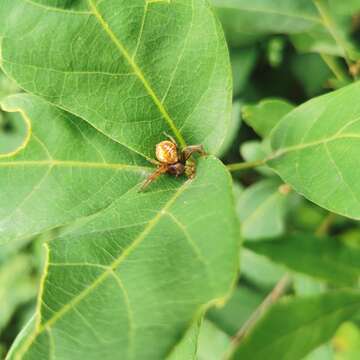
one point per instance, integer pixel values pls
(325, 259)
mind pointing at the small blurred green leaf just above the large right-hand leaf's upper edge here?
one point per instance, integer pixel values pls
(265, 115)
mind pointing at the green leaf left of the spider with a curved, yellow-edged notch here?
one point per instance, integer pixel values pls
(65, 170)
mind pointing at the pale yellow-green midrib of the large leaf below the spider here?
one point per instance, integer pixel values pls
(109, 272)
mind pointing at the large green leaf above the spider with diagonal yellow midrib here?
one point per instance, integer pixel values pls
(124, 69)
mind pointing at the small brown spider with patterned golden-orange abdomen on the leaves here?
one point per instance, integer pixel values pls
(172, 161)
